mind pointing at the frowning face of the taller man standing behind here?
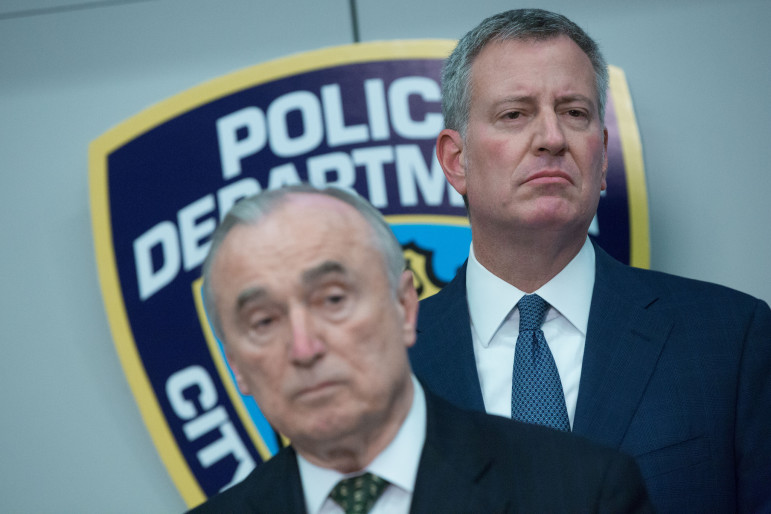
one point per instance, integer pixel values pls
(534, 156)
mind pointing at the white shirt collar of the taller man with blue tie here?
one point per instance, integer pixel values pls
(491, 299)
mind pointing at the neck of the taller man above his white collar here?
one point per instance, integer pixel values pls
(527, 260)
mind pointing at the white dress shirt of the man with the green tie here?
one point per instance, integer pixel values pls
(398, 464)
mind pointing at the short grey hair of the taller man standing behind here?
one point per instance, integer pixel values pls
(518, 24)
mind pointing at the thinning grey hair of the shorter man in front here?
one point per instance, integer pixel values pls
(253, 209)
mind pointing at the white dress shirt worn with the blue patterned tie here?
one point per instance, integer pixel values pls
(495, 327)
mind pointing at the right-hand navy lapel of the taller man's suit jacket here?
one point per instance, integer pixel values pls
(623, 342)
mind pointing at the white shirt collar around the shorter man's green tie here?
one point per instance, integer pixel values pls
(398, 463)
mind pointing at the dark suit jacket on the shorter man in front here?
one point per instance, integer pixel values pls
(474, 463)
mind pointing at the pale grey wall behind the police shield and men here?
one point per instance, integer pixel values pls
(71, 438)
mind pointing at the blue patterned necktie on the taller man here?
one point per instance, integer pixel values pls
(536, 390)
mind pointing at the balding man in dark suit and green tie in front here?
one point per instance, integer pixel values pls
(308, 291)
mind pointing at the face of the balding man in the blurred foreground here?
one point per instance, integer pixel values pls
(312, 329)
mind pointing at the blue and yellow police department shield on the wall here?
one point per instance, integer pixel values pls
(362, 117)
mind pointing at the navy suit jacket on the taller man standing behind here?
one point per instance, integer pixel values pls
(676, 373)
